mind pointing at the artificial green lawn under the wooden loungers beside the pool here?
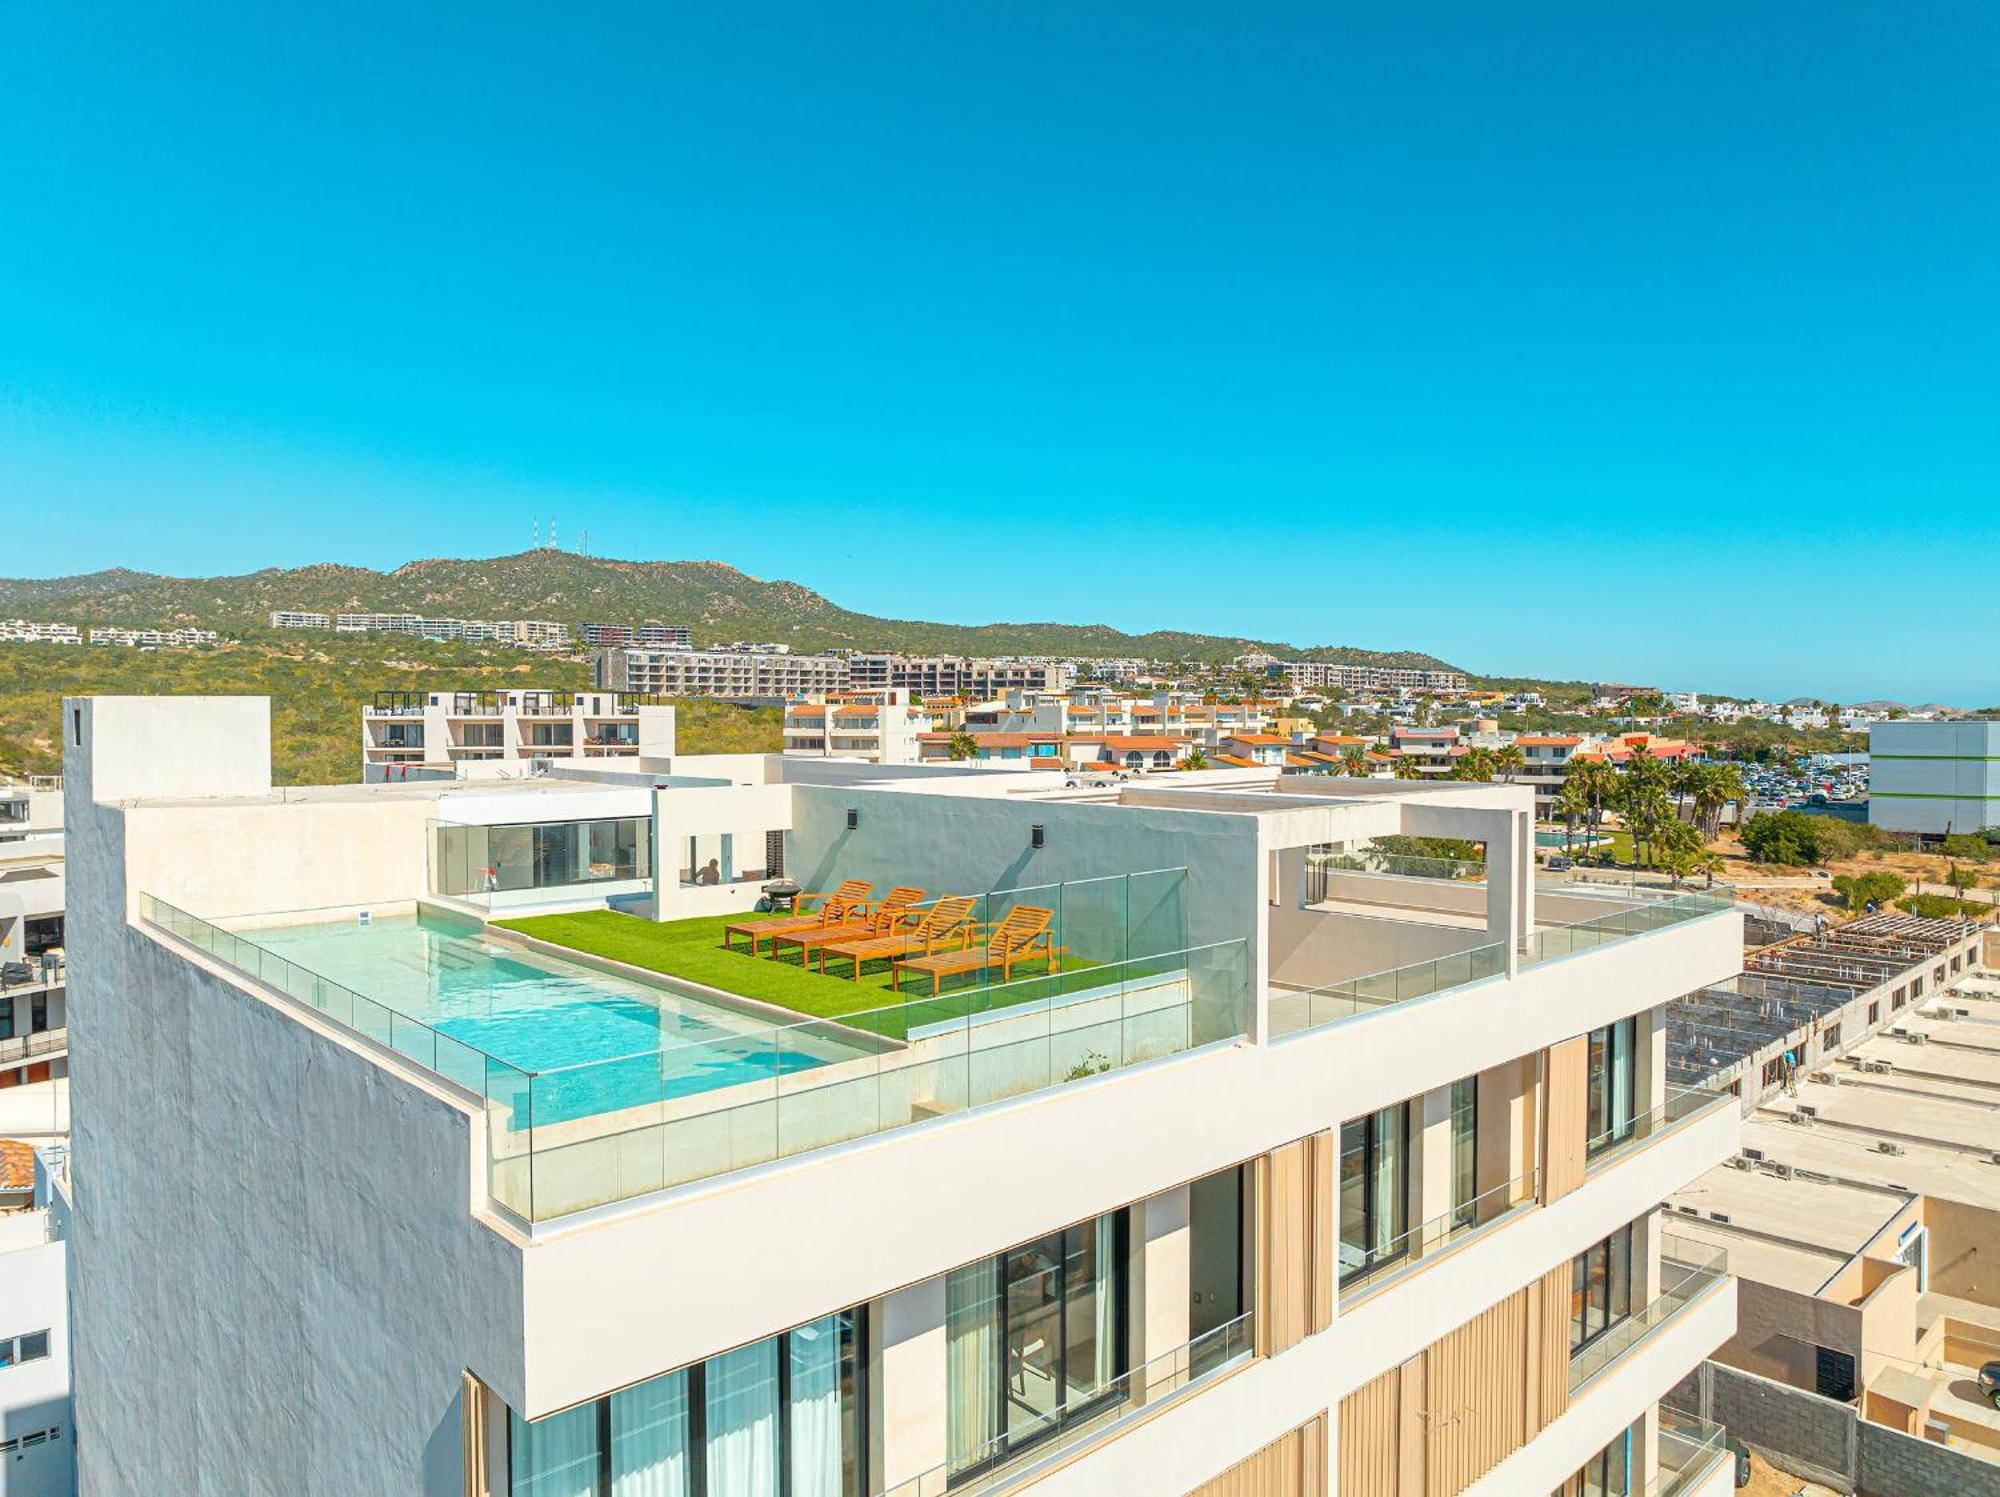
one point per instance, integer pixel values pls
(693, 950)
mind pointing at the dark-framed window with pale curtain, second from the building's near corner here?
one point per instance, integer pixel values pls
(1035, 1342)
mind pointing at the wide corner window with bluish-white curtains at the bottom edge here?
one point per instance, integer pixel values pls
(781, 1418)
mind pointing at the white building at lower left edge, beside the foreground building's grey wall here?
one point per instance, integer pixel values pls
(37, 1426)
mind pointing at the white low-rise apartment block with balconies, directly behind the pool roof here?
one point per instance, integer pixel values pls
(495, 731)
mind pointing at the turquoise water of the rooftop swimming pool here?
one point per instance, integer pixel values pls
(597, 1042)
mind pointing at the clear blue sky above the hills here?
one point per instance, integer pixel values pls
(1313, 323)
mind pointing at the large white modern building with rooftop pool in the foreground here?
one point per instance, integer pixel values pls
(1253, 1172)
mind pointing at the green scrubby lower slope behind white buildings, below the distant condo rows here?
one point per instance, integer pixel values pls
(317, 685)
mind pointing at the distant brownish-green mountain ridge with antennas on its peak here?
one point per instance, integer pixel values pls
(713, 599)
